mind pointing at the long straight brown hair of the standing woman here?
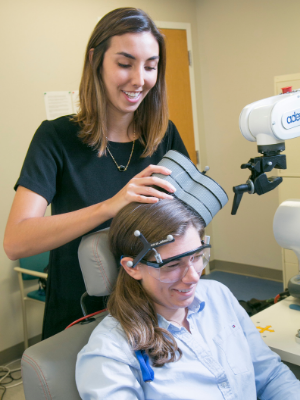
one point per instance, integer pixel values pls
(151, 118)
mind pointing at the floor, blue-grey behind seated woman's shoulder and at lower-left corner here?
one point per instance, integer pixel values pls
(243, 287)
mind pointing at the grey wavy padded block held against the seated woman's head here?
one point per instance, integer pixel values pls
(199, 191)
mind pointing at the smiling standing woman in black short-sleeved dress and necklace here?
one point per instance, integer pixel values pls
(91, 165)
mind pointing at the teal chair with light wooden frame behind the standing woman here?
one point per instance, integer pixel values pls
(31, 268)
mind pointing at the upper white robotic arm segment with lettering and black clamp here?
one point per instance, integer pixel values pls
(269, 122)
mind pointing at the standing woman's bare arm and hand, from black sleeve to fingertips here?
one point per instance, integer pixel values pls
(29, 232)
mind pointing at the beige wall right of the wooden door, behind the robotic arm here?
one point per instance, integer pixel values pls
(243, 45)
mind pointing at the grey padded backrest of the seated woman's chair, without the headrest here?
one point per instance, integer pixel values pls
(48, 368)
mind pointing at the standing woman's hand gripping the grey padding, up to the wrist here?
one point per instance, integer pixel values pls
(140, 189)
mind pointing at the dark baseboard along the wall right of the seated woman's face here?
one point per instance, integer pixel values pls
(244, 269)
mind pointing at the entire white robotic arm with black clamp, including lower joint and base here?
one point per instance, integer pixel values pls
(269, 122)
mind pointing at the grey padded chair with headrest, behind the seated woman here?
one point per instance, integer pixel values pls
(48, 367)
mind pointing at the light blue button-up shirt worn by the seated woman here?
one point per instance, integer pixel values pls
(223, 357)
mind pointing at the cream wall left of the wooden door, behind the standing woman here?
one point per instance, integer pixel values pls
(42, 48)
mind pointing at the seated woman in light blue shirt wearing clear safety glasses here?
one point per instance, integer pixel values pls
(169, 334)
